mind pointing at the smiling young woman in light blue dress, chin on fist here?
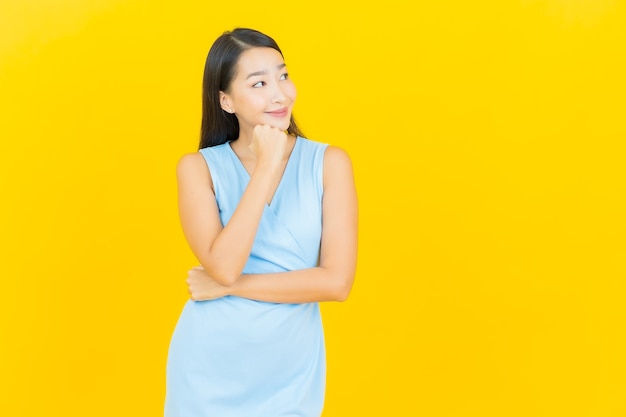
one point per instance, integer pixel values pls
(272, 218)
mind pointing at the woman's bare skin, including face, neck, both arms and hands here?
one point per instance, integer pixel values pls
(262, 96)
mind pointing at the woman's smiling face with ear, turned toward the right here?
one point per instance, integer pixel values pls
(261, 92)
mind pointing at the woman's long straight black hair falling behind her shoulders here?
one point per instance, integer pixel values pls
(219, 126)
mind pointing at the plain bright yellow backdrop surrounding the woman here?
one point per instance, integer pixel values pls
(488, 144)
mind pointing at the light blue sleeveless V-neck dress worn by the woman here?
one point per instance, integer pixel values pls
(235, 357)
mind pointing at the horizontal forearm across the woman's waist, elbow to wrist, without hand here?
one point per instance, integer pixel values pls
(301, 286)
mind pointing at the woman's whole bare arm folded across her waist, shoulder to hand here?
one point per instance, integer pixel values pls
(332, 279)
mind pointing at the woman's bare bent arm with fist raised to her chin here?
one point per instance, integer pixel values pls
(224, 251)
